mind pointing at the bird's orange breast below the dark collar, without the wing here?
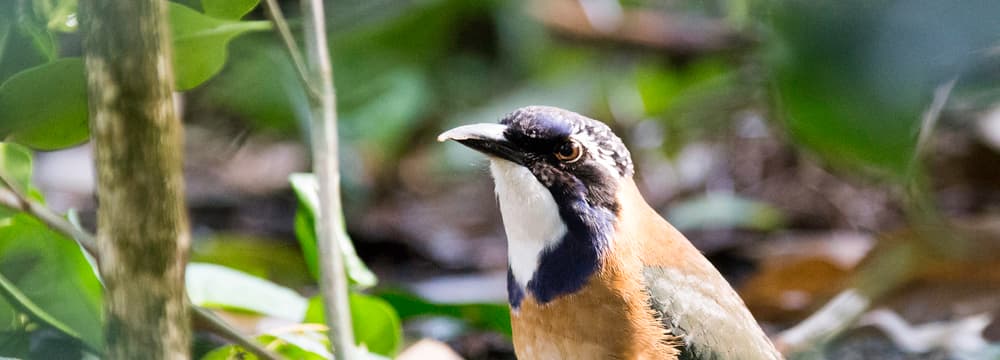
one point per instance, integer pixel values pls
(609, 318)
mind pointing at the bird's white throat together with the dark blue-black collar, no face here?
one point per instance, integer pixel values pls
(552, 249)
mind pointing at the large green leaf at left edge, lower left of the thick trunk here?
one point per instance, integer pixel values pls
(46, 276)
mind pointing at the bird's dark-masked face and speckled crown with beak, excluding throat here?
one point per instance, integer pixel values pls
(569, 154)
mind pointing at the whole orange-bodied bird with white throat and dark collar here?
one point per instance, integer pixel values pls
(594, 272)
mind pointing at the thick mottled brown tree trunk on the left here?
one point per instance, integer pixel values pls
(142, 224)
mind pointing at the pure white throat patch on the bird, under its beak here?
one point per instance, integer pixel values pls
(530, 217)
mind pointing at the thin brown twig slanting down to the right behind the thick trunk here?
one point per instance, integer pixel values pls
(12, 199)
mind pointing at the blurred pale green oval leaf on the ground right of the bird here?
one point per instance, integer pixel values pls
(724, 211)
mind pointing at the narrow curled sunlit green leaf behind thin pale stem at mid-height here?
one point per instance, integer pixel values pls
(305, 230)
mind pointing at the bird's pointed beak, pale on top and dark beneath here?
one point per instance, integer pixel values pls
(488, 139)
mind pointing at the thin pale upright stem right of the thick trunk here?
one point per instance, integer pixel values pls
(333, 281)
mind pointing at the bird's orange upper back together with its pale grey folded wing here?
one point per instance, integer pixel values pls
(693, 301)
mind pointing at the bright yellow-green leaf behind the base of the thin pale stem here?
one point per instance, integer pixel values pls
(376, 324)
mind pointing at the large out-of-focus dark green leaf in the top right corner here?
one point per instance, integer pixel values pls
(855, 76)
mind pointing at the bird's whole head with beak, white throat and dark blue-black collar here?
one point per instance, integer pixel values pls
(557, 174)
